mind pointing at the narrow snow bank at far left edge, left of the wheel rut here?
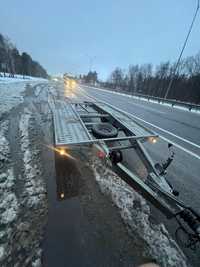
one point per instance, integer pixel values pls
(9, 206)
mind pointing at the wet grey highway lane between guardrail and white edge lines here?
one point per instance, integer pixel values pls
(181, 127)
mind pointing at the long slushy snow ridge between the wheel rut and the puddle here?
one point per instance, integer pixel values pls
(28, 229)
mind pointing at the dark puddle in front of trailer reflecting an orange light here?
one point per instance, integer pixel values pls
(63, 241)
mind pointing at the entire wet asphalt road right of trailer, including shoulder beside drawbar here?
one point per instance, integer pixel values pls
(180, 127)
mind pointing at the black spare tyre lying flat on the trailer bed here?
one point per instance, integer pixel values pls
(104, 130)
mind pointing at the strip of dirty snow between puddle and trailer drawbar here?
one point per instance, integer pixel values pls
(135, 212)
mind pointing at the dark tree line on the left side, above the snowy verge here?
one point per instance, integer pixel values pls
(12, 62)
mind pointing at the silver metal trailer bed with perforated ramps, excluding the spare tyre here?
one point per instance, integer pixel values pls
(70, 128)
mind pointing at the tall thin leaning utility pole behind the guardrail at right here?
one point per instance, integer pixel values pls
(181, 53)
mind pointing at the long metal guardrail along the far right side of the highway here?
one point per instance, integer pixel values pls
(172, 102)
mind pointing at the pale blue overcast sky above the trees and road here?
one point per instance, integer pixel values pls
(64, 35)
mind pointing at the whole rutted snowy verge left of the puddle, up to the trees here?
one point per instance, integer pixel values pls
(22, 189)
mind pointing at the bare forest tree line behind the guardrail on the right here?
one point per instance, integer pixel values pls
(154, 81)
